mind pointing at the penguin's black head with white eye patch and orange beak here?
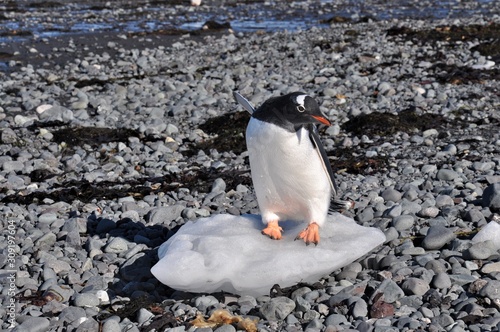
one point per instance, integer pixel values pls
(291, 111)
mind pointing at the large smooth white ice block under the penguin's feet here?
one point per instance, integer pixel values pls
(228, 253)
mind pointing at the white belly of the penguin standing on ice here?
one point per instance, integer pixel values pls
(288, 175)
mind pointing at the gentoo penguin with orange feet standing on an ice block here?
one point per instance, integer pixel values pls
(291, 174)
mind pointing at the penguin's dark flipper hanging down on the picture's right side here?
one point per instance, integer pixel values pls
(336, 204)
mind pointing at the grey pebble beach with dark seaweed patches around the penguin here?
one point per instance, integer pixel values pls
(107, 150)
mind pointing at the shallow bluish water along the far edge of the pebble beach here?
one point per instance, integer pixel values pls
(34, 19)
